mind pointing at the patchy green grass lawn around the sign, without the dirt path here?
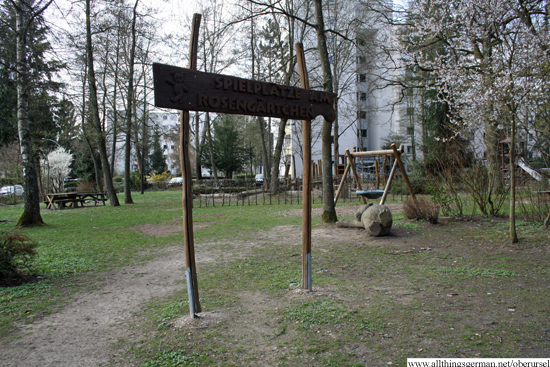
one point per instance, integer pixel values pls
(455, 289)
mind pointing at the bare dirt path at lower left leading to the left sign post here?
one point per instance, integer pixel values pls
(81, 334)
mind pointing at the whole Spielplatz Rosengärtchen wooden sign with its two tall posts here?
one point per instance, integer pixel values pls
(191, 90)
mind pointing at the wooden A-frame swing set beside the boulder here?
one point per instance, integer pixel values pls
(374, 194)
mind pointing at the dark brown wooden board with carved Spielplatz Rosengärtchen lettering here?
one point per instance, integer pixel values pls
(191, 90)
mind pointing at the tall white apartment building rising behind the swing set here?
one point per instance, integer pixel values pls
(382, 107)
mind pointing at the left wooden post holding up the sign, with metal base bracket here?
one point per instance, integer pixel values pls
(187, 192)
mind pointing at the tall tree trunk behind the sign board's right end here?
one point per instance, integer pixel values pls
(329, 210)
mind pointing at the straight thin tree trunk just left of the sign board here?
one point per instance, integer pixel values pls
(129, 115)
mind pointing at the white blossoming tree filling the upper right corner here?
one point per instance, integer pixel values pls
(489, 62)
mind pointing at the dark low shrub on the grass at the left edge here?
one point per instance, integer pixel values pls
(16, 252)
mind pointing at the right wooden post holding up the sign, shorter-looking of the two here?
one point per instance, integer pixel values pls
(306, 192)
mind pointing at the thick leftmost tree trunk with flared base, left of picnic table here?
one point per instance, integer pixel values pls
(31, 212)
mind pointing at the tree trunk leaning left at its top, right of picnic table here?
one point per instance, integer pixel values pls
(95, 111)
